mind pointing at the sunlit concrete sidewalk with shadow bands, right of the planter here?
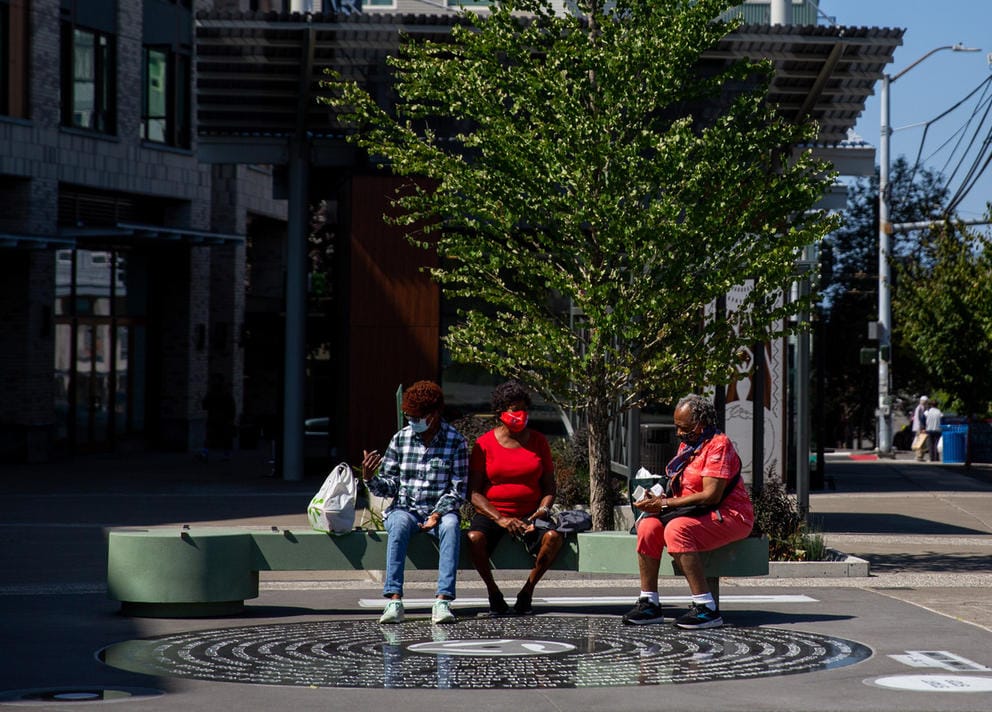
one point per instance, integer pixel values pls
(925, 527)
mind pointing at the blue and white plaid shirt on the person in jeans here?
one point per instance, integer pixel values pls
(420, 478)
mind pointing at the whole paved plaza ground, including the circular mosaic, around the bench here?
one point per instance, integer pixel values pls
(914, 635)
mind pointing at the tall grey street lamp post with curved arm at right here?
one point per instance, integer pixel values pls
(884, 440)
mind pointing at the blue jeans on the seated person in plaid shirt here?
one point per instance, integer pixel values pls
(400, 526)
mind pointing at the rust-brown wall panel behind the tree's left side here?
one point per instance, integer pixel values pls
(394, 315)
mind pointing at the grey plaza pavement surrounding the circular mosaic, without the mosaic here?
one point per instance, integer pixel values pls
(926, 529)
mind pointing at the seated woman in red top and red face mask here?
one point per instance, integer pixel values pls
(512, 485)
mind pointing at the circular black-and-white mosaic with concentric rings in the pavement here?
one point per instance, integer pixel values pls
(512, 652)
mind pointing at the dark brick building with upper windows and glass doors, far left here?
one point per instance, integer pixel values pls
(122, 256)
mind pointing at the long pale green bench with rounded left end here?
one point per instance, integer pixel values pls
(210, 571)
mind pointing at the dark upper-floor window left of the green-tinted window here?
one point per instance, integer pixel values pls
(88, 79)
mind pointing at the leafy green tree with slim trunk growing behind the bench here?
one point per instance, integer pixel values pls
(599, 158)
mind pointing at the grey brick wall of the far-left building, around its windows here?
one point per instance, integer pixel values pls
(205, 289)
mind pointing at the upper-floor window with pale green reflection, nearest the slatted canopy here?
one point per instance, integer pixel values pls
(166, 97)
